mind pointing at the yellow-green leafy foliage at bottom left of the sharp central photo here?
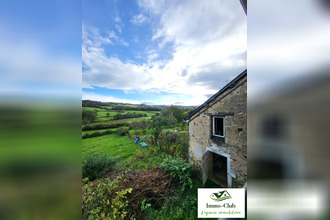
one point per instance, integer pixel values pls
(102, 200)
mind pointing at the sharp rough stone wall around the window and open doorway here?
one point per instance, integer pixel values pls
(200, 130)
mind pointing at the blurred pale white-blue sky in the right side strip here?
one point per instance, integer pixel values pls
(288, 42)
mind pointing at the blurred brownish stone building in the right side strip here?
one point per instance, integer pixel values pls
(289, 130)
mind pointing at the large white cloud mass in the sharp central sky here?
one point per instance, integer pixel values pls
(209, 44)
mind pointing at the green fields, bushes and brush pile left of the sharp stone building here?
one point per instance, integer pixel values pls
(151, 182)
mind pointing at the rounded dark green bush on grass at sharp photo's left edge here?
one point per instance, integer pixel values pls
(95, 165)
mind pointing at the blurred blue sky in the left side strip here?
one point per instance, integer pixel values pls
(40, 56)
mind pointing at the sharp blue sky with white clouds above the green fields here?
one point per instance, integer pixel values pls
(161, 52)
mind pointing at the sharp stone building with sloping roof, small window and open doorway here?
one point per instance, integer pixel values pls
(218, 135)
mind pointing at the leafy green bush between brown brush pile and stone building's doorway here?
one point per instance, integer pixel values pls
(180, 170)
